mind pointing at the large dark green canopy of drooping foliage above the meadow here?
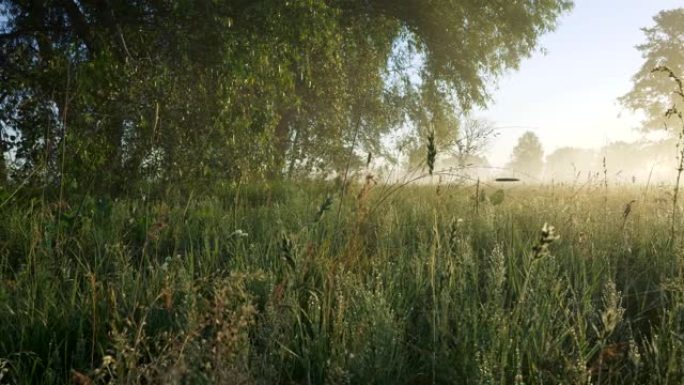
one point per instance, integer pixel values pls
(103, 95)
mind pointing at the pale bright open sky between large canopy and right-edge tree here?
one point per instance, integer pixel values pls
(568, 96)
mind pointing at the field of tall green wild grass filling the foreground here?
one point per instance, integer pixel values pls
(286, 284)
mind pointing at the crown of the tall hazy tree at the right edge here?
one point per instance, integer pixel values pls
(652, 92)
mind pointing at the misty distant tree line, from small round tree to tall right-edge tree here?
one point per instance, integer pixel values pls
(655, 93)
